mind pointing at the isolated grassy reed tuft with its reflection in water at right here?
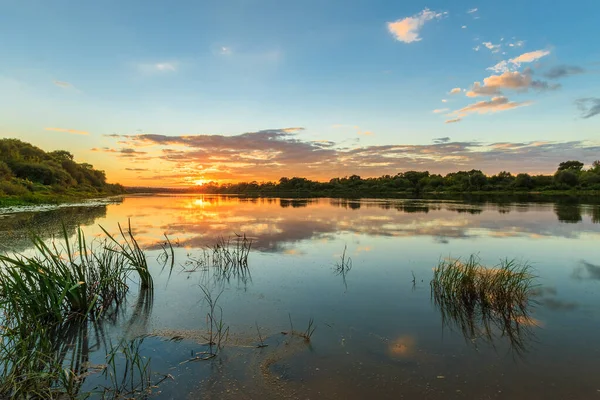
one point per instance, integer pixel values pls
(485, 302)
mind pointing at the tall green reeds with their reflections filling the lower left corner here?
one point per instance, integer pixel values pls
(52, 302)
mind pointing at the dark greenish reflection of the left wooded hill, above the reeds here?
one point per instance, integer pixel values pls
(15, 229)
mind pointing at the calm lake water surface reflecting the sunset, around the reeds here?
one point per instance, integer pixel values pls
(378, 335)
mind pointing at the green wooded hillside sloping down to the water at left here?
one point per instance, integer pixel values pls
(28, 174)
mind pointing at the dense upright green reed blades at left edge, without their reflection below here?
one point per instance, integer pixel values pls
(61, 282)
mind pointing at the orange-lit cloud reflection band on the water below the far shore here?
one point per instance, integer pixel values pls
(199, 222)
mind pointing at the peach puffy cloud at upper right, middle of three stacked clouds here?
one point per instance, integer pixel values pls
(520, 81)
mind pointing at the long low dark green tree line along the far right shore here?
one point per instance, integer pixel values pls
(570, 175)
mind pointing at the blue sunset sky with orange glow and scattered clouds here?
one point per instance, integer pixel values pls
(161, 93)
